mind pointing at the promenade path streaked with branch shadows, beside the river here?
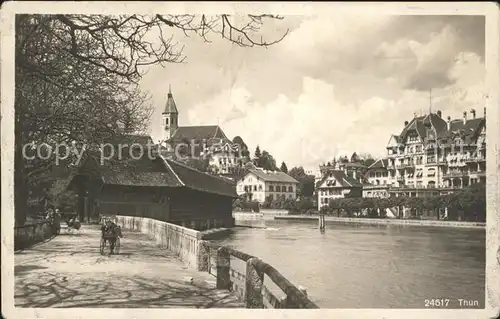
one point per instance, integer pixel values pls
(68, 271)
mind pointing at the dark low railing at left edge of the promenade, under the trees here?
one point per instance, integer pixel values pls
(27, 235)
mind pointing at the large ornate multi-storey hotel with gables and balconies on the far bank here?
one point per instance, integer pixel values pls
(432, 155)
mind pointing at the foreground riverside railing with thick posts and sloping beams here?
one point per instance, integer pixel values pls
(250, 286)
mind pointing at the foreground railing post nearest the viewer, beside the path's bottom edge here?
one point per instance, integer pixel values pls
(254, 281)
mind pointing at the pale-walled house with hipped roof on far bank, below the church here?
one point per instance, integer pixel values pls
(260, 184)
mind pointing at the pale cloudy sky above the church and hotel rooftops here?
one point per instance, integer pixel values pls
(336, 84)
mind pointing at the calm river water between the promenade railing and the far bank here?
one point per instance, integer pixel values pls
(371, 266)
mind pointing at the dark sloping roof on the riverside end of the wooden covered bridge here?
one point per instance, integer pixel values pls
(200, 181)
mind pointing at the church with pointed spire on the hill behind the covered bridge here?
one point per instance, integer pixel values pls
(202, 141)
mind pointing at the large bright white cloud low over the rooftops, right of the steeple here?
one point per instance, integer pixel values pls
(314, 128)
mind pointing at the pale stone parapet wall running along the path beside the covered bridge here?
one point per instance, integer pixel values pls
(185, 243)
